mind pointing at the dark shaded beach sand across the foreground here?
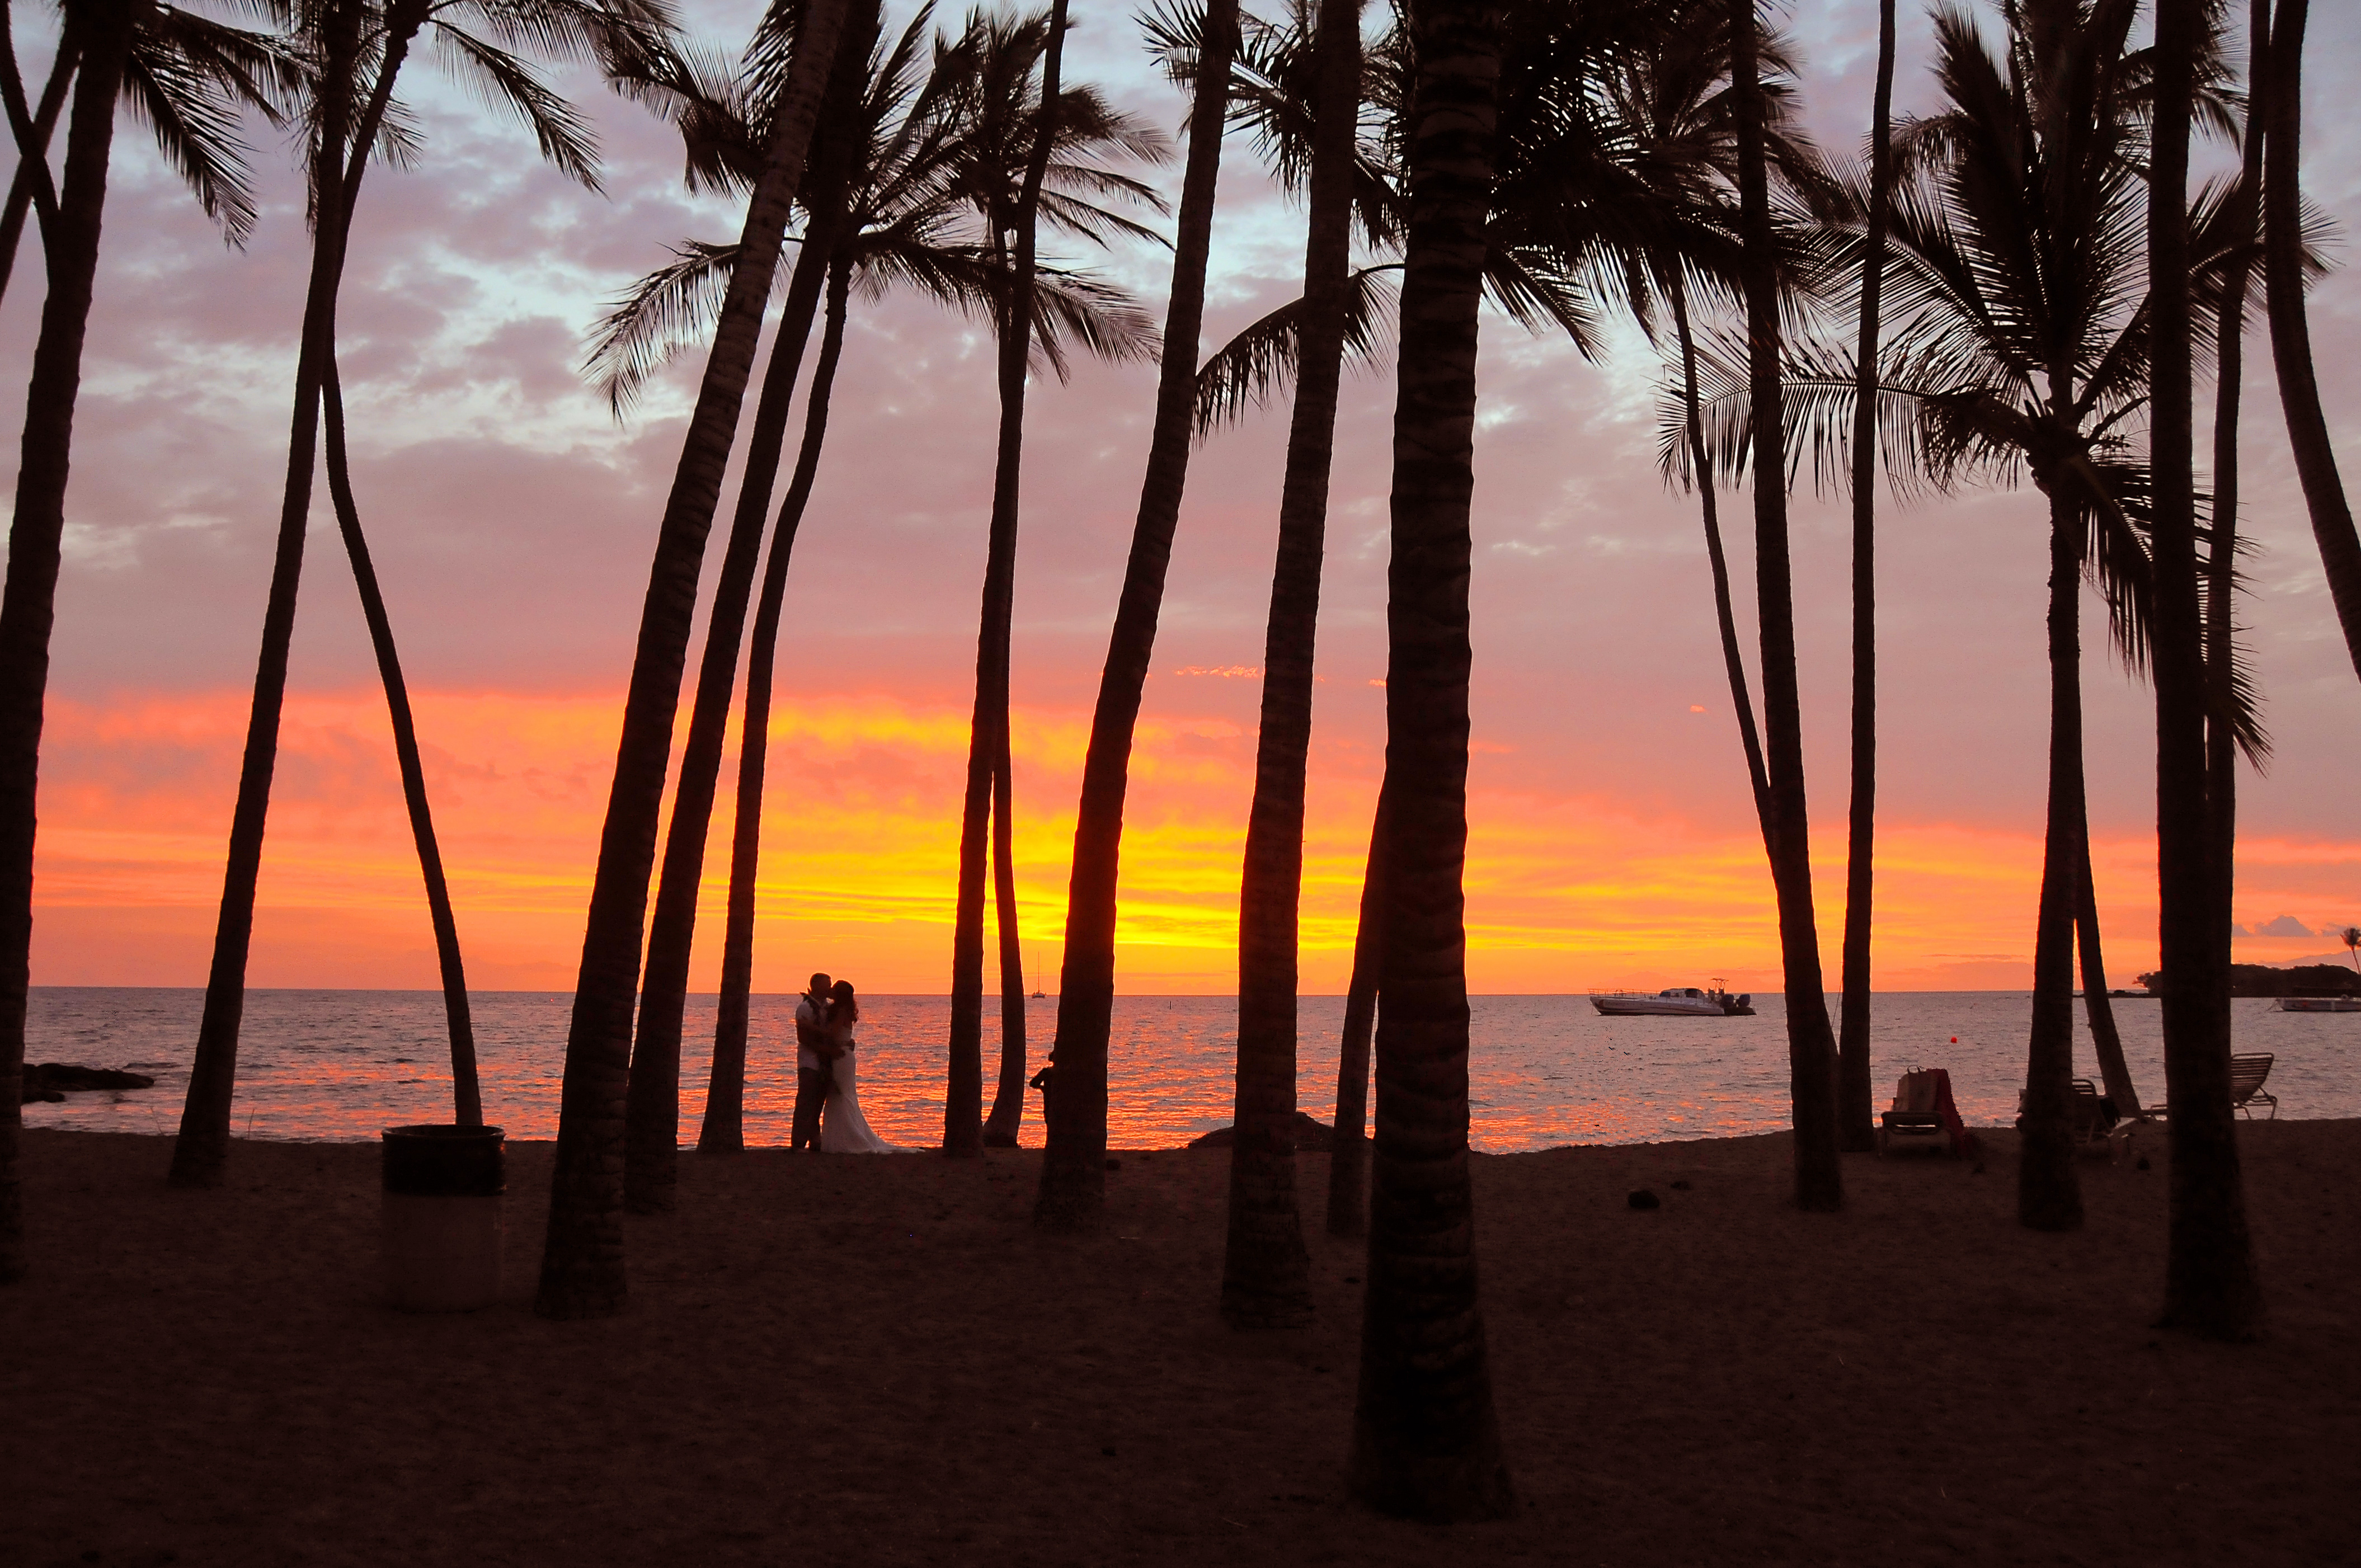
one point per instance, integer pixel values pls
(877, 1361)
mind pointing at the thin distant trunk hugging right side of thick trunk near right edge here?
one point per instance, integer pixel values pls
(2223, 549)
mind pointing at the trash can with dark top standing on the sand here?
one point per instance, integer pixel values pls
(443, 1217)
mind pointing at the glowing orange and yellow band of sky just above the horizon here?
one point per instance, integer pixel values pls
(1564, 894)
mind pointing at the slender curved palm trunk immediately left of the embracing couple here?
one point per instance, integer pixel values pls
(724, 1130)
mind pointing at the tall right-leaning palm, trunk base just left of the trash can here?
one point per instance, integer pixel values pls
(358, 51)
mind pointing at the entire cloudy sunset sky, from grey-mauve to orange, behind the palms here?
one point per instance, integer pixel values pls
(1611, 832)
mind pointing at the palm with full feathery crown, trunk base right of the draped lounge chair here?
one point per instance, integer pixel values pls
(2017, 268)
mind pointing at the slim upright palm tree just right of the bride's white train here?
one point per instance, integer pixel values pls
(1012, 117)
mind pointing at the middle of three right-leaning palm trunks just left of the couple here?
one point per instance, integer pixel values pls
(653, 1099)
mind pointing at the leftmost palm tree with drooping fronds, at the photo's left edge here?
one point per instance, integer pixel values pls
(195, 115)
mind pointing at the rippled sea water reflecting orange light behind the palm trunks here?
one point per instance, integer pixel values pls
(1545, 1071)
